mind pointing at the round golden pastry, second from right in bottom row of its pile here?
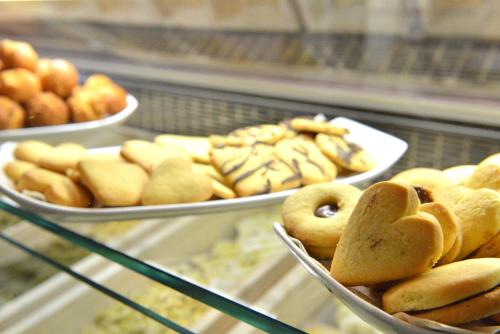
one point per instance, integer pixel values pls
(86, 106)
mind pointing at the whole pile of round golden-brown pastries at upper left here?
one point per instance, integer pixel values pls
(41, 92)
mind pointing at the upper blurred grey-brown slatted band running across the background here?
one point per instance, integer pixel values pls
(437, 60)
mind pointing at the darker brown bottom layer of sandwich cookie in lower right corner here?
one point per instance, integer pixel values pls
(466, 311)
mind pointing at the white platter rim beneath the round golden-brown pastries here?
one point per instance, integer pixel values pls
(65, 130)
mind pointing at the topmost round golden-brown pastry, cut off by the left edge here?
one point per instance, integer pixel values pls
(18, 54)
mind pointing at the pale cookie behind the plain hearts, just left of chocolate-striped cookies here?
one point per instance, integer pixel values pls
(198, 147)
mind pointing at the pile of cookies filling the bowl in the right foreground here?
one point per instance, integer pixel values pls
(427, 241)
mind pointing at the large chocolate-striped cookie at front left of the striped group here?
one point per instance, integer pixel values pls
(254, 170)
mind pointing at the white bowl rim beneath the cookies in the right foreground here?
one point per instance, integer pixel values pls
(361, 307)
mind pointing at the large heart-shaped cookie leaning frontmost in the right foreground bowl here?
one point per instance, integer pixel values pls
(386, 239)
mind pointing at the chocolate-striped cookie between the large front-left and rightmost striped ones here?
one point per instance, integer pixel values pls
(307, 159)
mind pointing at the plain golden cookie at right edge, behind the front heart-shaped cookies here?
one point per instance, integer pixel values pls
(478, 213)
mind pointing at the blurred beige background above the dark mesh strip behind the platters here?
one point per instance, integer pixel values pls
(425, 59)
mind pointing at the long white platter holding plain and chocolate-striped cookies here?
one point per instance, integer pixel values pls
(384, 148)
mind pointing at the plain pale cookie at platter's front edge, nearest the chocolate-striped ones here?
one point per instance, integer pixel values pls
(173, 181)
